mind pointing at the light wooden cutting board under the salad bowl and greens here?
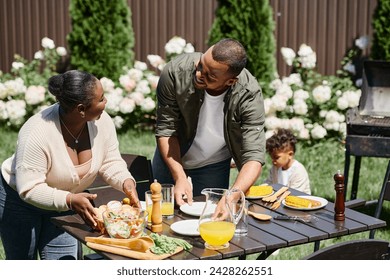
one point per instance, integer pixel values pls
(130, 253)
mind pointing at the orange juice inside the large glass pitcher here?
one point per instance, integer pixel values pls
(217, 233)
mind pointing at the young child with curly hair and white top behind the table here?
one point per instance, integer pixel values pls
(285, 169)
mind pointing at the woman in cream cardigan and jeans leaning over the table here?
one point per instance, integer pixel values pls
(59, 153)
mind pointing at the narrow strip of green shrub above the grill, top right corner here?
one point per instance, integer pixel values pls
(381, 23)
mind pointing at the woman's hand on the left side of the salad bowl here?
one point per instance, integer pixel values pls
(81, 204)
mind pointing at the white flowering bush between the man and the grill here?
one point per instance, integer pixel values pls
(313, 106)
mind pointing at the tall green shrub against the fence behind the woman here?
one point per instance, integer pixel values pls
(102, 37)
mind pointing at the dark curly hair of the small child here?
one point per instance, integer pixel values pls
(282, 140)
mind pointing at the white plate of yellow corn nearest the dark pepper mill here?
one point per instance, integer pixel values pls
(304, 202)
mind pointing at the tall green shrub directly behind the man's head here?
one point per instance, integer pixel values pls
(251, 23)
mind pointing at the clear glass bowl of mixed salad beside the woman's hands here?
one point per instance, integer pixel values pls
(125, 222)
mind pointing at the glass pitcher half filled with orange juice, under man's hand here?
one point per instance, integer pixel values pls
(217, 222)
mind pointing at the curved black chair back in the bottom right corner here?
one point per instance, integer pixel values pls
(365, 249)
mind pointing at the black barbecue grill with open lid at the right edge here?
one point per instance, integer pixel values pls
(368, 125)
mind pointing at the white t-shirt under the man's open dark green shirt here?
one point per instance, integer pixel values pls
(209, 145)
